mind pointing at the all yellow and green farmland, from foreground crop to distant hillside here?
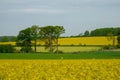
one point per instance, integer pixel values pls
(78, 61)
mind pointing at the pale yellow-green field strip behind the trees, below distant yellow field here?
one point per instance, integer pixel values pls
(69, 49)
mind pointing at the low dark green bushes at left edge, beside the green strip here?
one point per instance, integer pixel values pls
(6, 49)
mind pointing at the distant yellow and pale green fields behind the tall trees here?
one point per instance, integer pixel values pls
(78, 44)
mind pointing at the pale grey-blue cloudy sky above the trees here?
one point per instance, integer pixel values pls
(75, 15)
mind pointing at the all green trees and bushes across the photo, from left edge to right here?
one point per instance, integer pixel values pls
(27, 38)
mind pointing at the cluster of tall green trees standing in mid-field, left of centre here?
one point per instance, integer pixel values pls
(49, 34)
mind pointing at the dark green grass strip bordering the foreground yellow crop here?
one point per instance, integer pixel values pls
(81, 55)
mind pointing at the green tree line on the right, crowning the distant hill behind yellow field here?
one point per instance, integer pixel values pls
(108, 32)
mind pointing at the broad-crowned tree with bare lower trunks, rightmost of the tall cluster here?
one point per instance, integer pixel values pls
(51, 34)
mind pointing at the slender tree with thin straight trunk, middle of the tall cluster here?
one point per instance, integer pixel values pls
(35, 34)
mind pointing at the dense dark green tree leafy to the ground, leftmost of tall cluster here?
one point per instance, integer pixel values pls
(24, 40)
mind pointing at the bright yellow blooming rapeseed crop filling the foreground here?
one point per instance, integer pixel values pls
(60, 69)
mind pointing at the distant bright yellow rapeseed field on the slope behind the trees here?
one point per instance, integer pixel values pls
(78, 41)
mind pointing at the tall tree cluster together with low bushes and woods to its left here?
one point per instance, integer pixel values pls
(28, 37)
